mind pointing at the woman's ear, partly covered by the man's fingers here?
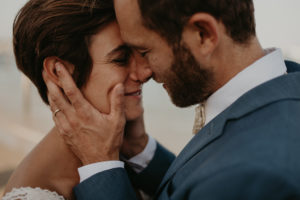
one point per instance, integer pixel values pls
(49, 67)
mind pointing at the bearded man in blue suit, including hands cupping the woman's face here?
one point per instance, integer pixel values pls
(247, 127)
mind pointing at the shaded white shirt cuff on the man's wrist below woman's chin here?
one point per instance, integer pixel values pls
(143, 159)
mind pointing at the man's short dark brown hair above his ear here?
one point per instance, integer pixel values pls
(168, 17)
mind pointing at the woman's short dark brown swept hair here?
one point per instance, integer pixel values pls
(61, 28)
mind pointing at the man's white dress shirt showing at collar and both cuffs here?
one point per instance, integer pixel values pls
(268, 67)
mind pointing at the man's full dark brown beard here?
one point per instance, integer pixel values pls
(187, 82)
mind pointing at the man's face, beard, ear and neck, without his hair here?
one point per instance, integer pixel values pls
(199, 64)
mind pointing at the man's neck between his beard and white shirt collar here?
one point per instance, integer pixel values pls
(234, 58)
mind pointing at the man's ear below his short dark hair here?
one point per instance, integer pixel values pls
(202, 33)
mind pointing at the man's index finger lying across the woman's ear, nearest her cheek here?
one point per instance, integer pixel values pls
(70, 89)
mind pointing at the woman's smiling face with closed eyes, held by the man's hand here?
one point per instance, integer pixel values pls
(112, 64)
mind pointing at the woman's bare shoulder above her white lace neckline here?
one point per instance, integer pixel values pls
(50, 165)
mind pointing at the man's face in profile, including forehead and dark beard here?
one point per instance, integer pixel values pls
(173, 66)
